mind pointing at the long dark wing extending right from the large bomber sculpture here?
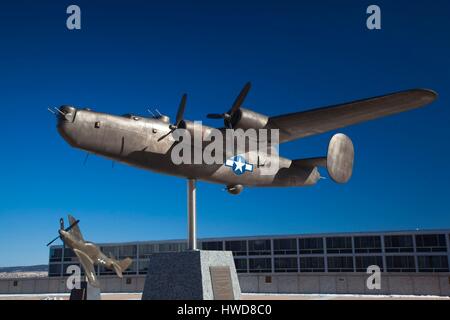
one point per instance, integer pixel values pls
(307, 123)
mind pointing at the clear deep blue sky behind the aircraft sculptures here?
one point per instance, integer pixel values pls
(132, 55)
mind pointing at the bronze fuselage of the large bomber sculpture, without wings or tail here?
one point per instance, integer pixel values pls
(147, 143)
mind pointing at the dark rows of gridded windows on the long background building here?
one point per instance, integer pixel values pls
(394, 252)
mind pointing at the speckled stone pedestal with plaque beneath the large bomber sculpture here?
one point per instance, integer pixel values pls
(191, 275)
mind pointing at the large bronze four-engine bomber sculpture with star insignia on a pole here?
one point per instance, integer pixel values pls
(147, 142)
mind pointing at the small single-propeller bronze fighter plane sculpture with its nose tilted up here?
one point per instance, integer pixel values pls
(88, 253)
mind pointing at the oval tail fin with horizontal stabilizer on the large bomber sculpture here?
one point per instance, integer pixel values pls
(339, 159)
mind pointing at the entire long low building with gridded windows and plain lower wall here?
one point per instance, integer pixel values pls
(411, 263)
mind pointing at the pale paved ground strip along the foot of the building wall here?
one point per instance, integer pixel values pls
(137, 296)
